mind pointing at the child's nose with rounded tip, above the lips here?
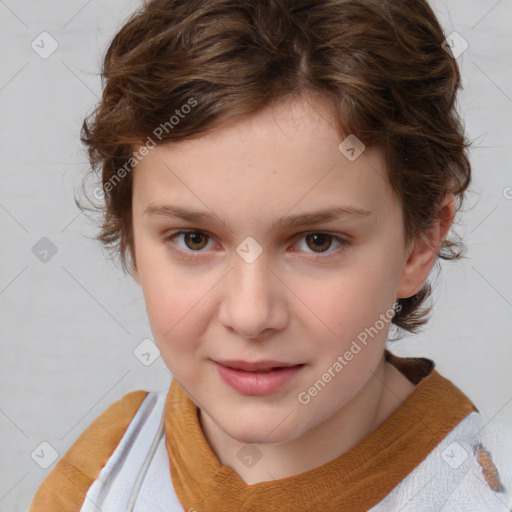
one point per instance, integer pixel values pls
(254, 301)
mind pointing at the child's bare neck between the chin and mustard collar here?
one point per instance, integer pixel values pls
(380, 396)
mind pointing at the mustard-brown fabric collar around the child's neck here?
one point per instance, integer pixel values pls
(355, 480)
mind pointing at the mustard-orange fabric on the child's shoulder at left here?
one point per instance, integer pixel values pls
(65, 487)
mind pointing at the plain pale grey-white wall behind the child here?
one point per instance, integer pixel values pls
(69, 325)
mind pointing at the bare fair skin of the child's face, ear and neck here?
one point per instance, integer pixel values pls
(286, 305)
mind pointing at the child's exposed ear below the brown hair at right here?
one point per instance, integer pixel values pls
(422, 252)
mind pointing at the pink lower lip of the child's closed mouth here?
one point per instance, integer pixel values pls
(250, 383)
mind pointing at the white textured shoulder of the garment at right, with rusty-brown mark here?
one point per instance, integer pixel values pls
(470, 469)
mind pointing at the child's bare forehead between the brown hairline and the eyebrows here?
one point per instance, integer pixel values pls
(286, 157)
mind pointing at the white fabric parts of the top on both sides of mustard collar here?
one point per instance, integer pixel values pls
(450, 479)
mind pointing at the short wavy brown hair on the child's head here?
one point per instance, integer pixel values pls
(380, 63)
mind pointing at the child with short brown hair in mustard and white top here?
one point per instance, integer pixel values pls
(280, 178)
